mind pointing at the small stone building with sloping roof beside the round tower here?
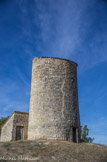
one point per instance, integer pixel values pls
(16, 127)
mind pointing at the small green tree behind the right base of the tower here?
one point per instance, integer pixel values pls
(84, 135)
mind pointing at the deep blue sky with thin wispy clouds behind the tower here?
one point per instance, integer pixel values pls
(75, 30)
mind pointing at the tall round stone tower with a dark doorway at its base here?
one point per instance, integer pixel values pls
(54, 111)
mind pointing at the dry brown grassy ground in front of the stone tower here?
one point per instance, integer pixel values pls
(52, 151)
